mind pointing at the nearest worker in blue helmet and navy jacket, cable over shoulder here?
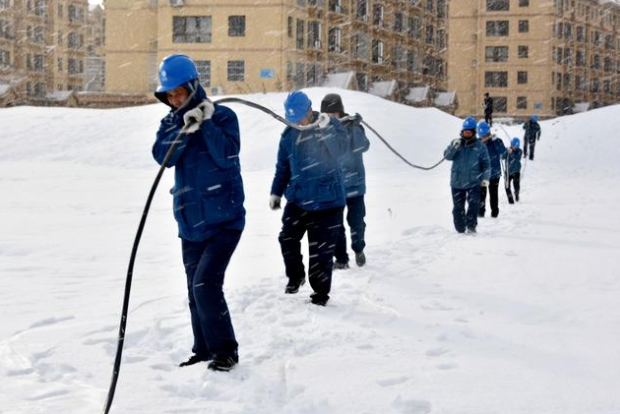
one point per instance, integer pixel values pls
(208, 203)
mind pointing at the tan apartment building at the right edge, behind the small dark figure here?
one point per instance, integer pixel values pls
(545, 57)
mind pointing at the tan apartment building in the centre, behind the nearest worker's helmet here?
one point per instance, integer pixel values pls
(243, 46)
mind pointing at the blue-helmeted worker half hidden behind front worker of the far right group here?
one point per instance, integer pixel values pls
(496, 149)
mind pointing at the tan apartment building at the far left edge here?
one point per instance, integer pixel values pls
(41, 46)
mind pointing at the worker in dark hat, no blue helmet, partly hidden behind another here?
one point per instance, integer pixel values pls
(354, 184)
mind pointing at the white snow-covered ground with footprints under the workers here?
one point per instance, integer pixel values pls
(522, 318)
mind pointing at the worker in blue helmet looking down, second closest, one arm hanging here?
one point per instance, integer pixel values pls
(309, 173)
